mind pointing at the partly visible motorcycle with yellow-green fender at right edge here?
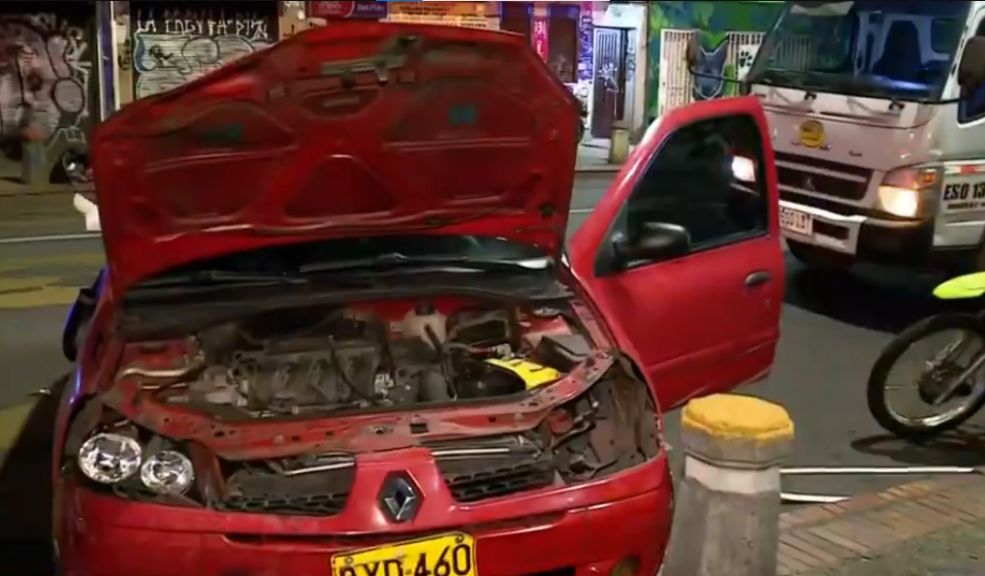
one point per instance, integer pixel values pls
(950, 382)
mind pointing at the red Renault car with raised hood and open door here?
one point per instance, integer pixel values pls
(339, 334)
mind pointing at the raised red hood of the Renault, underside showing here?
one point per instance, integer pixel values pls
(353, 129)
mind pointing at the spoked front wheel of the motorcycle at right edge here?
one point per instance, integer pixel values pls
(921, 428)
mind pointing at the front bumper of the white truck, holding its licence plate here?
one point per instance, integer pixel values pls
(894, 242)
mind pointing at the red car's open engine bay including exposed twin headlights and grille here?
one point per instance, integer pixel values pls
(211, 382)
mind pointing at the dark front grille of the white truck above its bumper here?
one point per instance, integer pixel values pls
(801, 174)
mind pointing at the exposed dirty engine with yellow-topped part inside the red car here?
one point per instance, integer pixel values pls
(294, 362)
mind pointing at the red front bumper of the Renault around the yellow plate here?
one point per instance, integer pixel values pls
(583, 530)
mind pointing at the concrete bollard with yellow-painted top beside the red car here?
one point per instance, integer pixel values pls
(726, 513)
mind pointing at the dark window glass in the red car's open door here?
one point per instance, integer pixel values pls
(709, 178)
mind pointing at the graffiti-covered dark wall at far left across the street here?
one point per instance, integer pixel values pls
(47, 79)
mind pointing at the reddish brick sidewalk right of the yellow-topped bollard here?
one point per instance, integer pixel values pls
(820, 537)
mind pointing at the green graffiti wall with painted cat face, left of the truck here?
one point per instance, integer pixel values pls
(715, 23)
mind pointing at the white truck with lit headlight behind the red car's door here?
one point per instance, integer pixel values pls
(877, 113)
